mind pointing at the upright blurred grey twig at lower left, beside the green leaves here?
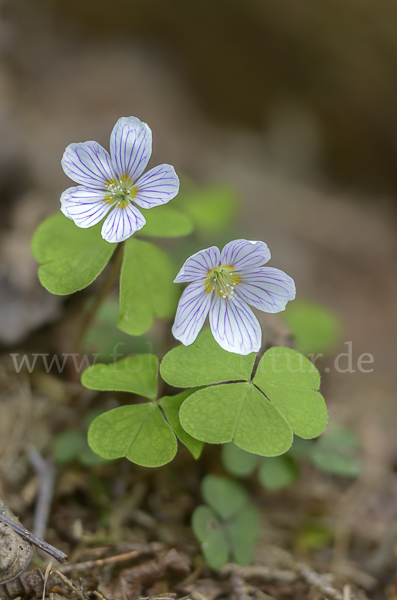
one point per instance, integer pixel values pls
(46, 471)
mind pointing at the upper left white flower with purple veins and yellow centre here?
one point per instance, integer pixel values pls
(111, 185)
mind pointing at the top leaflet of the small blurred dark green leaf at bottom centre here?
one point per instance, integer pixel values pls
(224, 495)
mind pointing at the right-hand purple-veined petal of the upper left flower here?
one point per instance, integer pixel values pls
(157, 186)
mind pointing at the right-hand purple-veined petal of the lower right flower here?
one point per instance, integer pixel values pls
(267, 289)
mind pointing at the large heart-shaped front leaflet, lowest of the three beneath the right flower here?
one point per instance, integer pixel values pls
(238, 413)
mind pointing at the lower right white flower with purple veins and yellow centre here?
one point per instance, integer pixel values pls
(223, 284)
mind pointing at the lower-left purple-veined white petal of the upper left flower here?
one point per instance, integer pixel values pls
(84, 206)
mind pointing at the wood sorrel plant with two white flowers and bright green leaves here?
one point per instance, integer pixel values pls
(228, 395)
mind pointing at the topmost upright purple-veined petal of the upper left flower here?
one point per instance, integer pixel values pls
(130, 147)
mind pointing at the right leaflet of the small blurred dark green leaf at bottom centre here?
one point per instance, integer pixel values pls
(243, 532)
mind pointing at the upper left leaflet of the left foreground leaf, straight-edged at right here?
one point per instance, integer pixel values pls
(136, 374)
